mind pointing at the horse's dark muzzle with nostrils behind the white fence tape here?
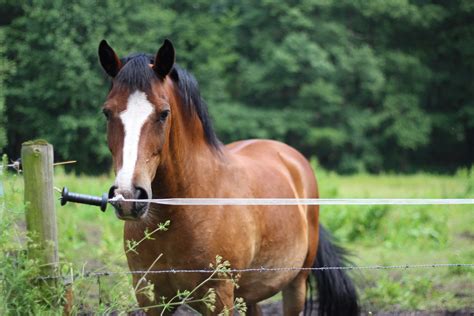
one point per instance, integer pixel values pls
(127, 210)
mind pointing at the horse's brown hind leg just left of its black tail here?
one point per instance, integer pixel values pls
(294, 295)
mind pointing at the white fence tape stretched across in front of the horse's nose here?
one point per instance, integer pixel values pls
(294, 201)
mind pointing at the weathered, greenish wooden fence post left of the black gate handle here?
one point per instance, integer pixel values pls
(37, 164)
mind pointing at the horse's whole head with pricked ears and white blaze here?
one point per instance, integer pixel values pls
(139, 117)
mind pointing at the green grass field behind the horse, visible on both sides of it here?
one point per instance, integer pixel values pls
(90, 240)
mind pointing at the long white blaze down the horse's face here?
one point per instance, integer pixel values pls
(137, 112)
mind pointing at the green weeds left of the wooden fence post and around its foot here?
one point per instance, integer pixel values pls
(17, 270)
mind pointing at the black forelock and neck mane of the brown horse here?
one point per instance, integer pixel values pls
(136, 74)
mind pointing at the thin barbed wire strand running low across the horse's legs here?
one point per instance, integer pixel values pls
(264, 269)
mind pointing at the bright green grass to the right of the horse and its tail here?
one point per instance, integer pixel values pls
(397, 235)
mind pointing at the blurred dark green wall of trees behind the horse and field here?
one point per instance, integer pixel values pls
(364, 86)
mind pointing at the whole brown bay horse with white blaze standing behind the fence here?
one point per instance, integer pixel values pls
(163, 145)
